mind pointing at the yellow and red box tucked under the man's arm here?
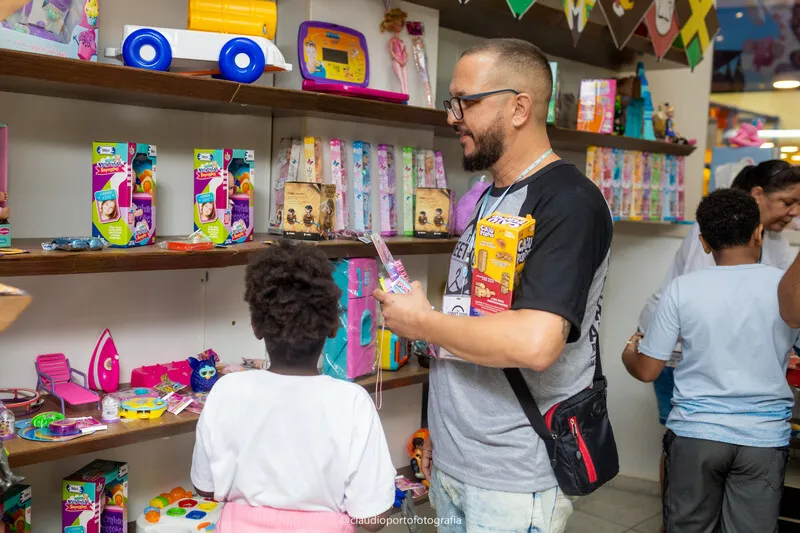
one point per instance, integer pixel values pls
(502, 244)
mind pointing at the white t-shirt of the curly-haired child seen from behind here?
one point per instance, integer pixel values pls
(301, 443)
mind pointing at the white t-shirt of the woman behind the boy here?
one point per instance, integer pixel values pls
(775, 252)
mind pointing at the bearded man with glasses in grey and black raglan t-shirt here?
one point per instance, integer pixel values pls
(490, 469)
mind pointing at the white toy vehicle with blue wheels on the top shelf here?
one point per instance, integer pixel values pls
(238, 58)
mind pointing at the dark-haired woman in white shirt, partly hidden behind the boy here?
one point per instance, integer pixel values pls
(775, 185)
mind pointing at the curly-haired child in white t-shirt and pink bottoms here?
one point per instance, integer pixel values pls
(288, 449)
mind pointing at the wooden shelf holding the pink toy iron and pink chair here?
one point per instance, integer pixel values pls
(24, 452)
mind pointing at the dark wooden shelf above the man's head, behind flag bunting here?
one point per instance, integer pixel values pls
(547, 28)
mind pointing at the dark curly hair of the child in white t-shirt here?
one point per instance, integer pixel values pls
(294, 302)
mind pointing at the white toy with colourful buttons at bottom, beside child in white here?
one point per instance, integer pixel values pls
(179, 511)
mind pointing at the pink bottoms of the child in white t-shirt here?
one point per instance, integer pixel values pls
(240, 518)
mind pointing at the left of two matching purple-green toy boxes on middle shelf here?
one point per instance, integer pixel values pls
(124, 193)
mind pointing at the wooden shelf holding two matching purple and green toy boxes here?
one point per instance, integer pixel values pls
(39, 262)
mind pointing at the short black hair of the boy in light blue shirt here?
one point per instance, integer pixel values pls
(728, 218)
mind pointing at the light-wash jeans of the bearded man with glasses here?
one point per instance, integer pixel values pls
(463, 508)
